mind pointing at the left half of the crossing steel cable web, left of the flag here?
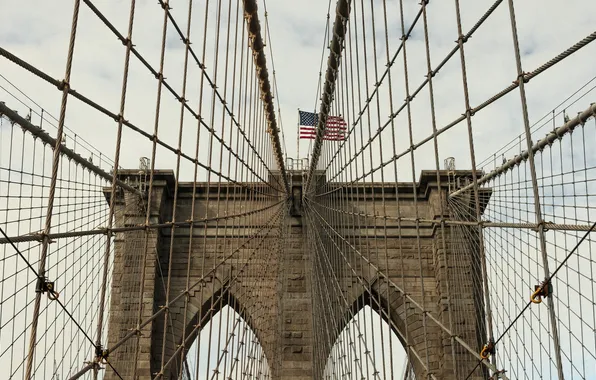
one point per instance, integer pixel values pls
(227, 145)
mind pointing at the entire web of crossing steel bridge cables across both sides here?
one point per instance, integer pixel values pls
(121, 273)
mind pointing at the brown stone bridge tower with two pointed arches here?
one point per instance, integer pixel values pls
(281, 312)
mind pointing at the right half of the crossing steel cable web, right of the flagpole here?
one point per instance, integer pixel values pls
(440, 269)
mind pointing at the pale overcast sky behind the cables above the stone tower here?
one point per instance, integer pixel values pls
(38, 32)
